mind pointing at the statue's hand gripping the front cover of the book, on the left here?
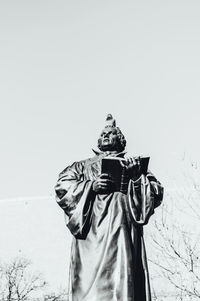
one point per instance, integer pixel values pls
(103, 184)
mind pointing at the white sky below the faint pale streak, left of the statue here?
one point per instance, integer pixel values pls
(35, 229)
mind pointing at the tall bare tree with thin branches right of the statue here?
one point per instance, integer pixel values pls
(175, 250)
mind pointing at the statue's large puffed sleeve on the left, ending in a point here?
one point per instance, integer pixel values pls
(75, 196)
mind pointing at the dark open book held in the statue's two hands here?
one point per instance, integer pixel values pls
(113, 166)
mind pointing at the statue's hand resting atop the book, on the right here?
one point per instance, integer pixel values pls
(133, 167)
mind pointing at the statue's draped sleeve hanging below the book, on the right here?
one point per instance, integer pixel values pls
(144, 195)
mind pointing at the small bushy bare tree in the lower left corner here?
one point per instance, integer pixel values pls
(17, 282)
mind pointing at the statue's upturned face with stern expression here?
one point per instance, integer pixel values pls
(108, 140)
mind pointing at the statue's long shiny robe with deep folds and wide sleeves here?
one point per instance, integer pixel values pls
(108, 259)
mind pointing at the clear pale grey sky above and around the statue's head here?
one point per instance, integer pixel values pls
(66, 64)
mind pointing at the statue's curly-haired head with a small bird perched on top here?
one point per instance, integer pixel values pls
(111, 138)
